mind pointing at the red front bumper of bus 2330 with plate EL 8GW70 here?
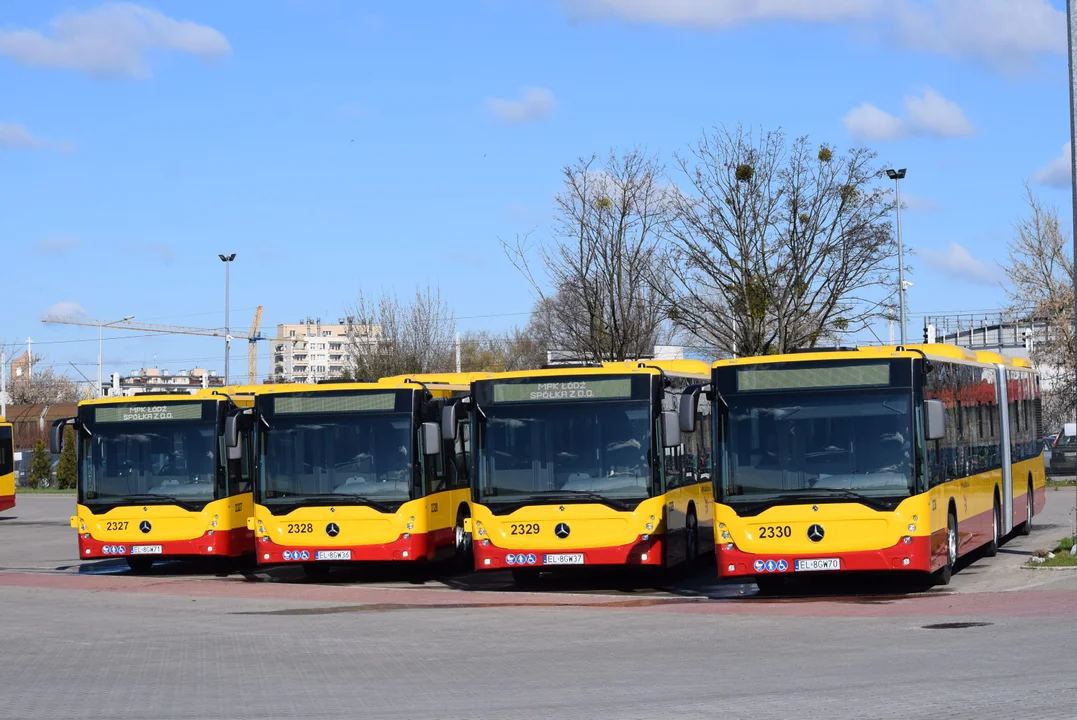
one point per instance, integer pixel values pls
(913, 556)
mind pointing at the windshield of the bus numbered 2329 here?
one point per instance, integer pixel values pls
(541, 451)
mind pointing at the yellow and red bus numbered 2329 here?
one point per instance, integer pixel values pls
(588, 465)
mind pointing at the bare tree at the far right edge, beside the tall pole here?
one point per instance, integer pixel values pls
(1041, 270)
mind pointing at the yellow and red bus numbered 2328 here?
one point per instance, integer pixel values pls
(370, 471)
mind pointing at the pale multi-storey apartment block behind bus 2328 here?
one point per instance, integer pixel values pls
(319, 352)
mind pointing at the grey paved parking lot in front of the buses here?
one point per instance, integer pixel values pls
(90, 641)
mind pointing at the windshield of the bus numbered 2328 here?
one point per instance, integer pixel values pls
(348, 459)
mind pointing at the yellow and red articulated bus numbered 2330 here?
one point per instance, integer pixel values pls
(873, 459)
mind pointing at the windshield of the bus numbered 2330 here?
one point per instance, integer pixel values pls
(794, 445)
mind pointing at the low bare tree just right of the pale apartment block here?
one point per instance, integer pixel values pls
(388, 337)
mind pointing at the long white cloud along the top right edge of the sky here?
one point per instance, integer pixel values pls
(1005, 33)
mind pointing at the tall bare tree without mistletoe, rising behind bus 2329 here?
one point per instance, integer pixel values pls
(596, 295)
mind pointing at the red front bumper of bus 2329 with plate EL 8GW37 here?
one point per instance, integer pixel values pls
(647, 550)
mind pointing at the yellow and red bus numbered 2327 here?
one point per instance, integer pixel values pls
(157, 481)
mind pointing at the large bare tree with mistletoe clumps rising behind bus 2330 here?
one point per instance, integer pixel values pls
(778, 245)
